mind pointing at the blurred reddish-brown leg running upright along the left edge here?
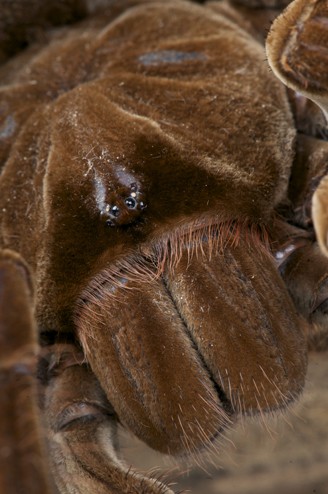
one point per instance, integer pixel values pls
(22, 465)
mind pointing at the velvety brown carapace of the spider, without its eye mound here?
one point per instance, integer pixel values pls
(170, 161)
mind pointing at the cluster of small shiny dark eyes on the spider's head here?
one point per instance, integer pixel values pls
(124, 206)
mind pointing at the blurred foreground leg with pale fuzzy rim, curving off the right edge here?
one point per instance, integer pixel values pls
(297, 48)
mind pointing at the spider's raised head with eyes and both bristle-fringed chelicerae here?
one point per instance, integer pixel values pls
(179, 306)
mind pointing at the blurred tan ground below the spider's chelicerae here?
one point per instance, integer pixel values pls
(286, 455)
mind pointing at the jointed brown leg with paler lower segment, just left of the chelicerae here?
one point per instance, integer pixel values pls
(81, 428)
